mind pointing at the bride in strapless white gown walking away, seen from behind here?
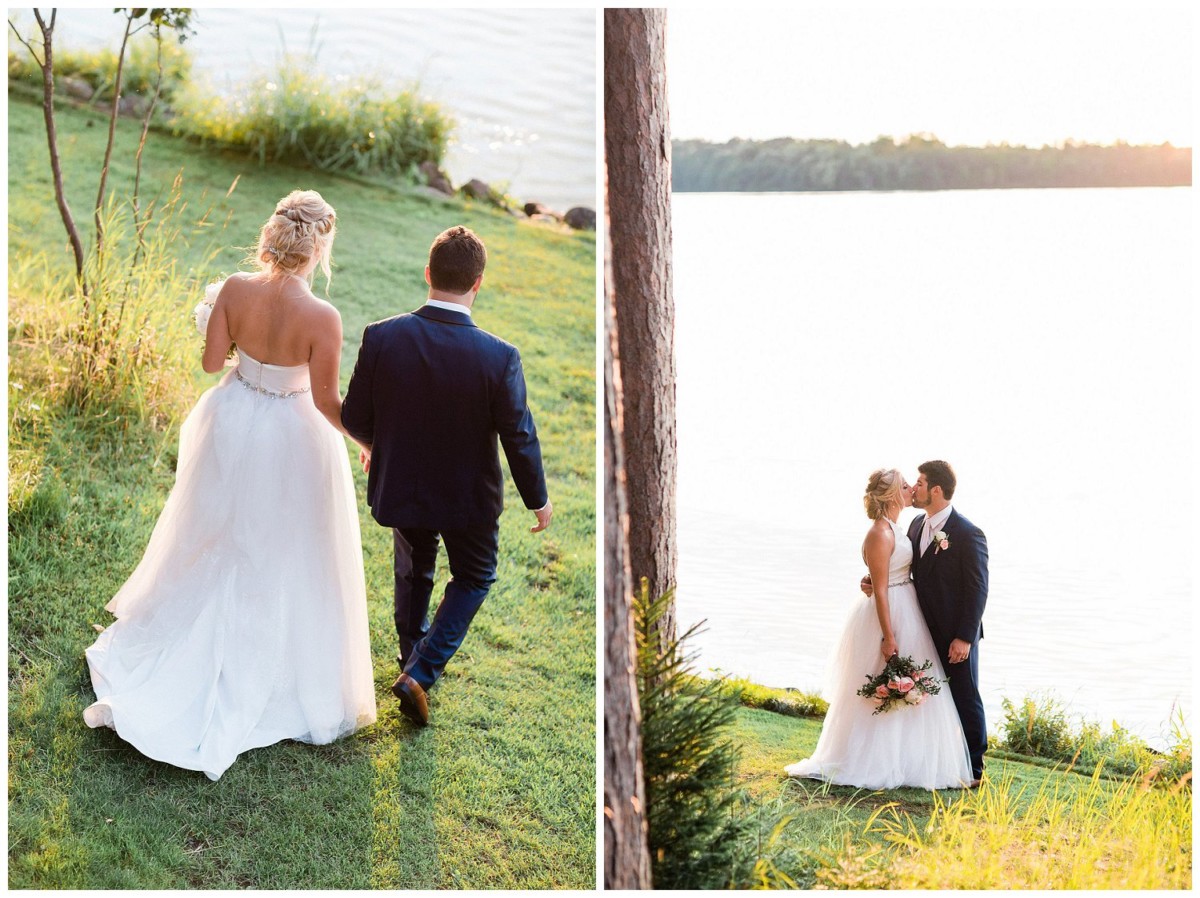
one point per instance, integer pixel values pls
(245, 624)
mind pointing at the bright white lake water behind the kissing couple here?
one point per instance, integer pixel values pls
(1041, 342)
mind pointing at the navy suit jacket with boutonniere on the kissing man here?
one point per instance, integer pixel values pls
(952, 584)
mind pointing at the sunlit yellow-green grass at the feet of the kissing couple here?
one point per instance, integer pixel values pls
(1029, 827)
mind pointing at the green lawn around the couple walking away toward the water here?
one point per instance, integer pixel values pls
(500, 792)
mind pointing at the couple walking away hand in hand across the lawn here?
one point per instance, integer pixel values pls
(245, 622)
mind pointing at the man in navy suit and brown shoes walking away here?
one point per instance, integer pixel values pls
(431, 394)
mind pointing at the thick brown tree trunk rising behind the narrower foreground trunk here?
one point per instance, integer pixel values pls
(638, 149)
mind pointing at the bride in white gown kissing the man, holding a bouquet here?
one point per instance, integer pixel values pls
(910, 745)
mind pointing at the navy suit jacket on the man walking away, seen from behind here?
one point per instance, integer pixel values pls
(431, 393)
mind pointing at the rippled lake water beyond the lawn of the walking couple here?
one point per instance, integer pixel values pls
(523, 83)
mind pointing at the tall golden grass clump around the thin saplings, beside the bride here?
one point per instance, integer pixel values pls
(122, 345)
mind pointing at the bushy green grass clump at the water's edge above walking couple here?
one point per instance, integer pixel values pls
(346, 124)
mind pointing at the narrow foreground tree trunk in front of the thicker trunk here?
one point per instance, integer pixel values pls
(627, 861)
